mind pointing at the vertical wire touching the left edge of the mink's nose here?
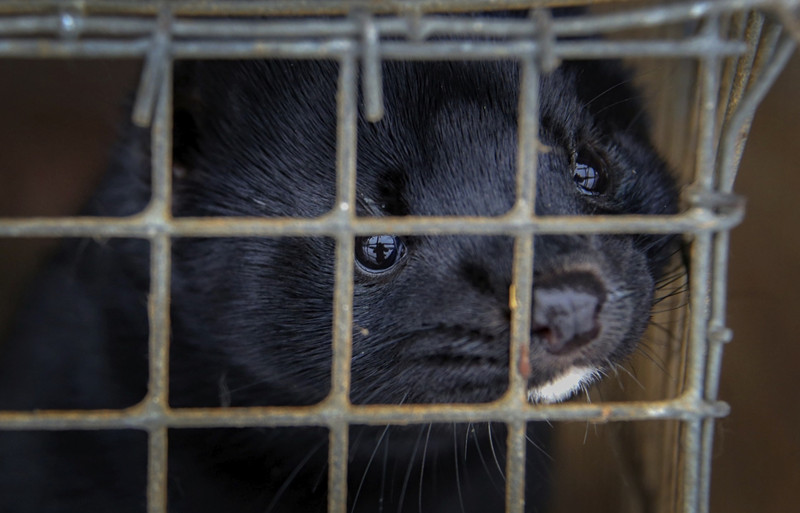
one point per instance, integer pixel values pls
(521, 295)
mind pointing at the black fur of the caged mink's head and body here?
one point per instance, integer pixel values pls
(251, 317)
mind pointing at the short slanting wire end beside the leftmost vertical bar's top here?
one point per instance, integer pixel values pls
(154, 67)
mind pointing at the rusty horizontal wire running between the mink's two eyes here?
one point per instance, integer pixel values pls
(143, 226)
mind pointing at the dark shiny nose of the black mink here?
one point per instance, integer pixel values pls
(565, 311)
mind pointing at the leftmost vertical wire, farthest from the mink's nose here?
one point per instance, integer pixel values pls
(160, 255)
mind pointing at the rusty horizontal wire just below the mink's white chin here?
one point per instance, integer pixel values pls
(324, 414)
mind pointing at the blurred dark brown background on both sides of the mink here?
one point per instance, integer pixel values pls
(59, 119)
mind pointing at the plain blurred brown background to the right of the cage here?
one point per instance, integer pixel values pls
(757, 448)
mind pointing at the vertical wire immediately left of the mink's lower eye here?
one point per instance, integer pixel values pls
(343, 281)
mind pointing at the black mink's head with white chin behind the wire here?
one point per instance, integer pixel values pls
(431, 317)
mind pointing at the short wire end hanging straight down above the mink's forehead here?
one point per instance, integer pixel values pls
(371, 75)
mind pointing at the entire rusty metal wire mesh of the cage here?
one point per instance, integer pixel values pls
(739, 54)
